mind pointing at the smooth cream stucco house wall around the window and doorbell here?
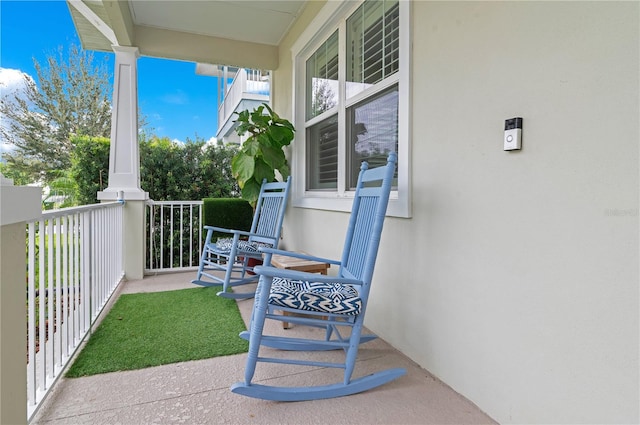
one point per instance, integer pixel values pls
(516, 281)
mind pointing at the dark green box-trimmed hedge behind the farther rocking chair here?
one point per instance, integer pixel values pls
(229, 213)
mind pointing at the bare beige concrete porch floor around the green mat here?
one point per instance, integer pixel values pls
(198, 392)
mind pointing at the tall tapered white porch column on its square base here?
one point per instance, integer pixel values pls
(124, 160)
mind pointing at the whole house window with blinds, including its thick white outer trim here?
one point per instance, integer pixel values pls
(352, 71)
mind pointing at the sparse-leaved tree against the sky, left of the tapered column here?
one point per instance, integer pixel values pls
(72, 100)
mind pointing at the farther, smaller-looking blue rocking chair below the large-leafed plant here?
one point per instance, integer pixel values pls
(232, 255)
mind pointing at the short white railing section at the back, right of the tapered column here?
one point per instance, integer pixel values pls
(174, 235)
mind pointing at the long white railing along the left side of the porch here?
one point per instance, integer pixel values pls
(74, 264)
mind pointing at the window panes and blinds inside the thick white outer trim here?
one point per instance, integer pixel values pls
(367, 47)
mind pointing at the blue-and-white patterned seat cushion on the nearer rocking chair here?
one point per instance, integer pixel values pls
(334, 298)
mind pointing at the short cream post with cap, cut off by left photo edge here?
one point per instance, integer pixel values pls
(18, 204)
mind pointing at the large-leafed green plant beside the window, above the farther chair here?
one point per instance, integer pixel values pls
(262, 153)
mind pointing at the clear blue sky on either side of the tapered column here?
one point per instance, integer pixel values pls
(176, 102)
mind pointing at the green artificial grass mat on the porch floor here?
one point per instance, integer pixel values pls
(151, 329)
